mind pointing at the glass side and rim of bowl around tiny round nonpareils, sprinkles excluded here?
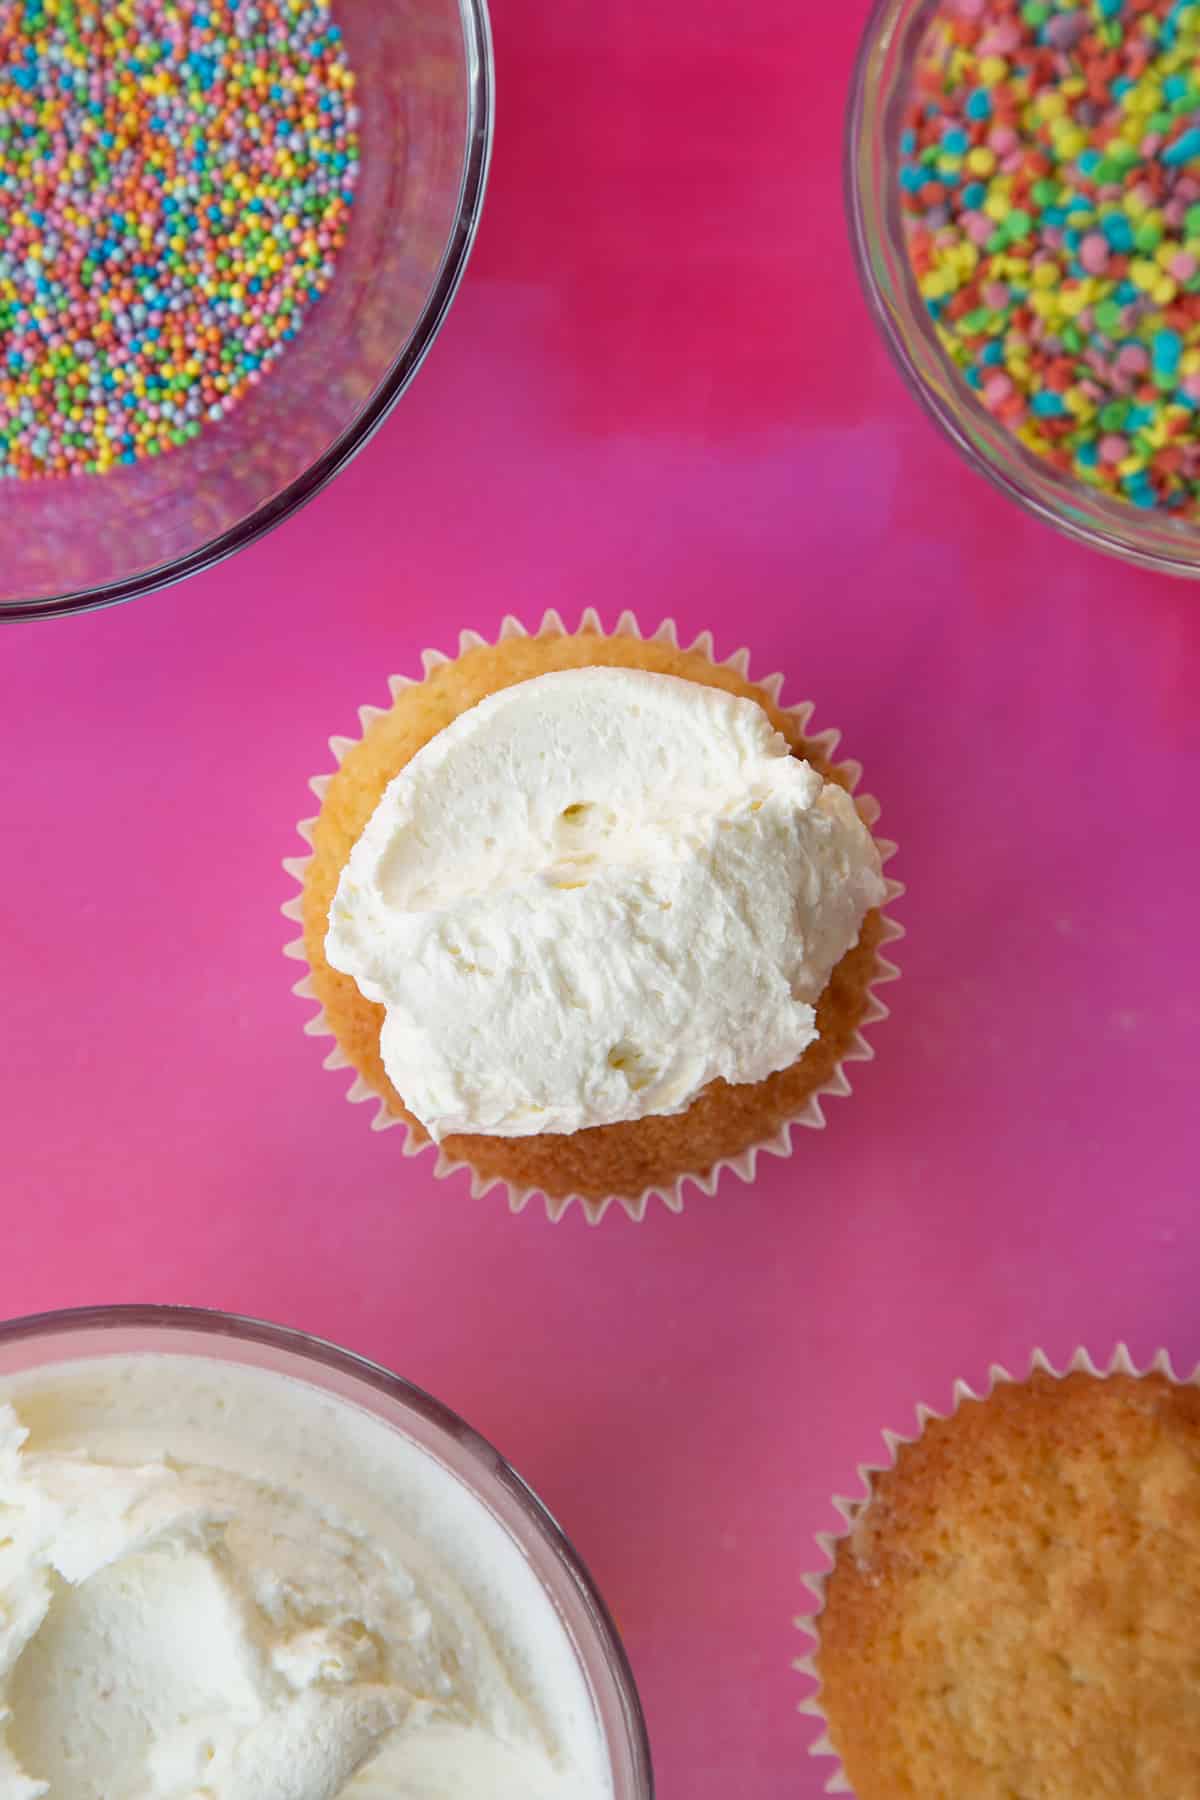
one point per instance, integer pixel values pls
(425, 94)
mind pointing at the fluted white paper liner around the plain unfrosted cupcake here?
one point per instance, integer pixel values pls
(1122, 1363)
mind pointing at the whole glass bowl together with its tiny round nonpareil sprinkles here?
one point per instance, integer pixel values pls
(220, 267)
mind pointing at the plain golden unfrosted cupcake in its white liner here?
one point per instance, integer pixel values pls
(1016, 1606)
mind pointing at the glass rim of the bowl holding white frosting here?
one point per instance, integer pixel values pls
(359, 1371)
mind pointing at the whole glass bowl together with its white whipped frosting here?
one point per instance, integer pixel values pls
(238, 1563)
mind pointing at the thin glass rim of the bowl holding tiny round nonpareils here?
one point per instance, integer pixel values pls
(363, 429)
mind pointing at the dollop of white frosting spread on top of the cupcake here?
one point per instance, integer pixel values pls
(595, 894)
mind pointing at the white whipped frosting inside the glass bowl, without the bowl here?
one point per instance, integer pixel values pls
(175, 1630)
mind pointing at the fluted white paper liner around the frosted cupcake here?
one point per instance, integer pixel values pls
(744, 1165)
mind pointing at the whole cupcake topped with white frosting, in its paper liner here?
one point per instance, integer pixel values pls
(593, 913)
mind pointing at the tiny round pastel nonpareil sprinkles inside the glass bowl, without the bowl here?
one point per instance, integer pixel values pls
(175, 186)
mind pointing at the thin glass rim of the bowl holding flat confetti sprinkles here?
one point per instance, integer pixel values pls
(1097, 537)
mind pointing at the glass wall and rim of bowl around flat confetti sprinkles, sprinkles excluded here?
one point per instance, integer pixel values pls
(881, 85)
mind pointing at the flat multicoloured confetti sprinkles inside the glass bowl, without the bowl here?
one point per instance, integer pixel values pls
(1052, 188)
